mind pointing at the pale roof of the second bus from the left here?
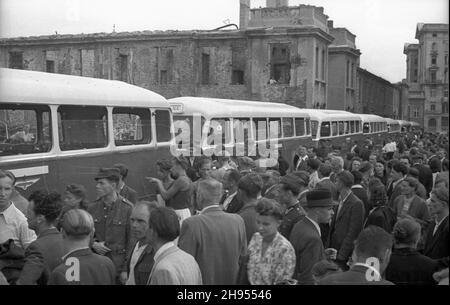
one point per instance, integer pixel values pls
(223, 108)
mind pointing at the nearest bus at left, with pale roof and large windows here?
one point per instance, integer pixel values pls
(57, 130)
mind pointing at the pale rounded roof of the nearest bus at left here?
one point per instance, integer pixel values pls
(19, 86)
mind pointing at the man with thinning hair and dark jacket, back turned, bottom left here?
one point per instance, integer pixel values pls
(94, 269)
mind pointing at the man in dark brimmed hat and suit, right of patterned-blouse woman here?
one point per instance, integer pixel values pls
(305, 236)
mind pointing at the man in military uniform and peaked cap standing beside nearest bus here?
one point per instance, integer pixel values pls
(111, 214)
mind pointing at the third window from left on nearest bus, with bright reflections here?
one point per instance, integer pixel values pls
(131, 126)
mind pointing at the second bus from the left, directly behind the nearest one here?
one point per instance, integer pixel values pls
(240, 122)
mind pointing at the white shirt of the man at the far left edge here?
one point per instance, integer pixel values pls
(14, 225)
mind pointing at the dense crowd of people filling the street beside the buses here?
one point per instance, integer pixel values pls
(368, 214)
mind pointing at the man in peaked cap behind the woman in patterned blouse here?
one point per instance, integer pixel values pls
(290, 188)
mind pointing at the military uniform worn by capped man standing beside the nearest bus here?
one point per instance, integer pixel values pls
(112, 226)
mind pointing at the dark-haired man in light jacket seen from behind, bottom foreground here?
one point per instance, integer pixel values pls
(172, 265)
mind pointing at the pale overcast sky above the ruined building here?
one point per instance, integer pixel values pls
(382, 26)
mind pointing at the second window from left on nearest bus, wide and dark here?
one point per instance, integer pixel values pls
(82, 127)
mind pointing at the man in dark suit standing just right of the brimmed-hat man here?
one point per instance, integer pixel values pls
(348, 220)
